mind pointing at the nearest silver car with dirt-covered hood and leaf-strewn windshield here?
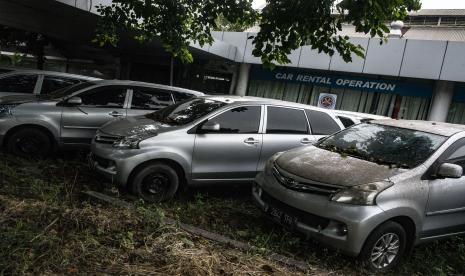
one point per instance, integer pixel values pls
(373, 190)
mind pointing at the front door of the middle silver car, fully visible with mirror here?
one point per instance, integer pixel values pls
(232, 151)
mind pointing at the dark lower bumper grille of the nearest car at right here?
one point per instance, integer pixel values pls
(311, 220)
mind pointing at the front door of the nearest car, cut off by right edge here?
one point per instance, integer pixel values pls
(445, 211)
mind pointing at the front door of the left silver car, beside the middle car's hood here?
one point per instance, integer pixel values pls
(99, 106)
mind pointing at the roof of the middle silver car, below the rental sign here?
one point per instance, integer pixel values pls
(230, 99)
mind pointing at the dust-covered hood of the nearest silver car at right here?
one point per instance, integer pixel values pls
(324, 166)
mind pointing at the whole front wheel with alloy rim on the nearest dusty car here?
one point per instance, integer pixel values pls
(385, 247)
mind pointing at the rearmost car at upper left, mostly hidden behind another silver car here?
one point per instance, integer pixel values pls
(24, 82)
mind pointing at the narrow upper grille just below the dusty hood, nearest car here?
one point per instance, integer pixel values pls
(306, 187)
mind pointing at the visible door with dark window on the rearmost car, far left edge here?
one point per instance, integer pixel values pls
(18, 84)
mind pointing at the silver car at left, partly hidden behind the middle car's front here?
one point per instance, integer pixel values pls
(36, 125)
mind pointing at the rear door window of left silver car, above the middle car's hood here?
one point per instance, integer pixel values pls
(150, 98)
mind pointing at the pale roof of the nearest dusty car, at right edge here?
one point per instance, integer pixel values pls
(439, 128)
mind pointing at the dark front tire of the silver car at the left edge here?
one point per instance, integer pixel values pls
(29, 142)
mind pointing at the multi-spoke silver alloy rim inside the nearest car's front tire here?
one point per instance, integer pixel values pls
(385, 250)
